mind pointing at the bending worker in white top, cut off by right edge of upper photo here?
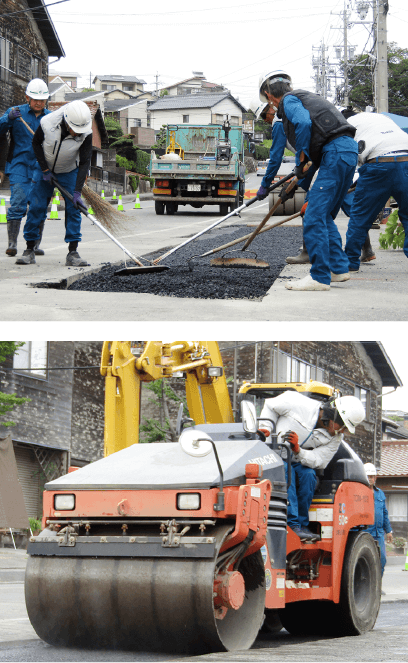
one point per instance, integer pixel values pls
(383, 155)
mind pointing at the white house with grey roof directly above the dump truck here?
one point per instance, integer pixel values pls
(196, 109)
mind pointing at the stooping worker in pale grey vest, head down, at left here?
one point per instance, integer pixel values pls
(63, 147)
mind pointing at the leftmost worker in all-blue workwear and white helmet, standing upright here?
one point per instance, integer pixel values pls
(18, 155)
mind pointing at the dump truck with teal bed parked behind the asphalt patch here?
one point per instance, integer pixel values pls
(203, 165)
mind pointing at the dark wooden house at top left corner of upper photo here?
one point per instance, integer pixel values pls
(27, 40)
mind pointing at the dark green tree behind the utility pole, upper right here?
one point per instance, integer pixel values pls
(361, 81)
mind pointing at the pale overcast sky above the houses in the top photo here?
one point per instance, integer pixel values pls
(231, 41)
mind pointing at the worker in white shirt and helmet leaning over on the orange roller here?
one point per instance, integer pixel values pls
(313, 429)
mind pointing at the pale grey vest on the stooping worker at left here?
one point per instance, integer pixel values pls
(62, 156)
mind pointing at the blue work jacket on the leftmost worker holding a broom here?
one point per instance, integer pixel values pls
(23, 161)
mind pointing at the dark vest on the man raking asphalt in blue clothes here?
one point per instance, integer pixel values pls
(327, 122)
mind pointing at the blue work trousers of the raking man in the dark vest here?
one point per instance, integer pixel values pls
(320, 233)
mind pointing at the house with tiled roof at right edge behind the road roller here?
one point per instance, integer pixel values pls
(393, 480)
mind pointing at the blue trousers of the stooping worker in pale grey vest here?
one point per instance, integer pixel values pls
(40, 195)
